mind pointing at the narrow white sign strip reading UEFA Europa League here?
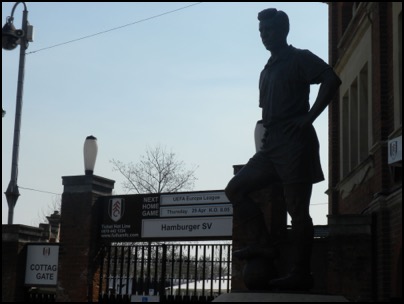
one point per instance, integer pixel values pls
(194, 198)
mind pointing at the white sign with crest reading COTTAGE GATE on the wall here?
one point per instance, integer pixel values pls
(42, 264)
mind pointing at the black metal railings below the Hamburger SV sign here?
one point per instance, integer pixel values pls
(165, 272)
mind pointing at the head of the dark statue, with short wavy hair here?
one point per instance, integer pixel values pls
(274, 27)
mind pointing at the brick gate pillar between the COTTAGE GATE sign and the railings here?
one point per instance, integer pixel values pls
(77, 281)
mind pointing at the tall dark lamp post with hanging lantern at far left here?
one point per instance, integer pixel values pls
(11, 37)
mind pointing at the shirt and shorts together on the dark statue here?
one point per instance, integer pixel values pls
(284, 95)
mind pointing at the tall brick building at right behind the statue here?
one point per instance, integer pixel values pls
(365, 129)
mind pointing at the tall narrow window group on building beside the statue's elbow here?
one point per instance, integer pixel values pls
(355, 122)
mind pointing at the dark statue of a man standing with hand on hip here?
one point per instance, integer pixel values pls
(290, 151)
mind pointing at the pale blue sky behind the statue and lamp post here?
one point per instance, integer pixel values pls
(186, 80)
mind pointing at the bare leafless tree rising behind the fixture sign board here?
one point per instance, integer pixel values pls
(157, 171)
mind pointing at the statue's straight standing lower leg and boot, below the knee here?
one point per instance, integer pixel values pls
(300, 278)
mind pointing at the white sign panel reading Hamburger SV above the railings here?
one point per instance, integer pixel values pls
(187, 227)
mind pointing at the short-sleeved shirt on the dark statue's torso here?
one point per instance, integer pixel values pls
(285, 84)
